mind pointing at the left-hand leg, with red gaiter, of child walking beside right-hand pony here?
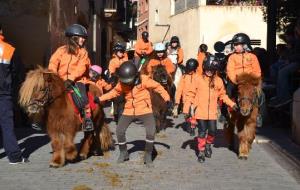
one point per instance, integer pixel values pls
(202, 128)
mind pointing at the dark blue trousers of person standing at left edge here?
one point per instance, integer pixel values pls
(10, 143)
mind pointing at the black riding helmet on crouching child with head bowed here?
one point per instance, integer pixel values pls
(127, 72)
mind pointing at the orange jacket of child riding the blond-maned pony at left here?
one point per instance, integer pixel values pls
(68, 66)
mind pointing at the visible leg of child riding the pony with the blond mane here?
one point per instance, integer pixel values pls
(85, 108)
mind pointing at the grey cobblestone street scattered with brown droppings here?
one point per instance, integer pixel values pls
(176, 166)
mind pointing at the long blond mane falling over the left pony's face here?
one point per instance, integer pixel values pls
(34, 82)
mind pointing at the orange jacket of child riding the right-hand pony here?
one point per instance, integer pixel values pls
(242, 62)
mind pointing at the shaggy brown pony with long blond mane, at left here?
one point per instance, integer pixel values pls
(44, 92)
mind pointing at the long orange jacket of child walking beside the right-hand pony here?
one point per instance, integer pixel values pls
(206, 97)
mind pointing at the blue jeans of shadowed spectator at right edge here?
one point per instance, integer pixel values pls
(283, 85)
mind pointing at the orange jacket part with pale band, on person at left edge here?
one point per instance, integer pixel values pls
(6, 51)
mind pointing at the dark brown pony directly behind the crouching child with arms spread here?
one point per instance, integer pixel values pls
(159, 106)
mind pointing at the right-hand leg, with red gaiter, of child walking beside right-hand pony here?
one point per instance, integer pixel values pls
(212, 129)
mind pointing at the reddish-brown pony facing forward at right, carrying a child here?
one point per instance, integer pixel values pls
(249, 88)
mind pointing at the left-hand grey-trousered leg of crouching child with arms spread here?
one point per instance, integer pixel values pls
(122, 126)
